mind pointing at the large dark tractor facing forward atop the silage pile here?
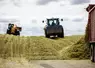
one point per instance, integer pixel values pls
(53, 28)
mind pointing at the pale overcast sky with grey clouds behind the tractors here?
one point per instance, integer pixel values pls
(29, 15)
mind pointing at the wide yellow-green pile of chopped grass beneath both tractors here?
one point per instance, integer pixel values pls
(39, 47)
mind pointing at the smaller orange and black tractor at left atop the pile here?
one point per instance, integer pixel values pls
(13, 29)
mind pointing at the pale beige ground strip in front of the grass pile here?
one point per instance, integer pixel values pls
(23, 63)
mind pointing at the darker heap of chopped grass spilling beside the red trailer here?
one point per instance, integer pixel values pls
(79, 50)
